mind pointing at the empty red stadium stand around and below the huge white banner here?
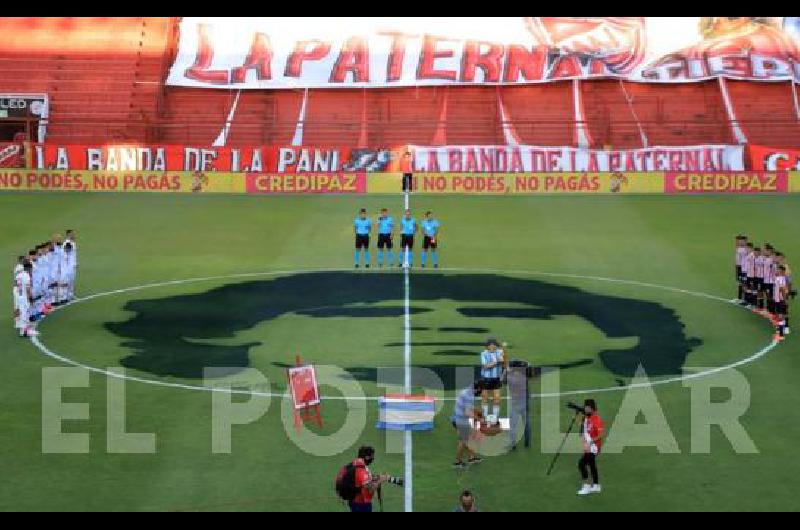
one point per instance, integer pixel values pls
(106, 81)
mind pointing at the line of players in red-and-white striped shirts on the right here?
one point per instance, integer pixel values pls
(765, 282)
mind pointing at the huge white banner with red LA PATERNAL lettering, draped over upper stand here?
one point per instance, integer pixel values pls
(252, 52)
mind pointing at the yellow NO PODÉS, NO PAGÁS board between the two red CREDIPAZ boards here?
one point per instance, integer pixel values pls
(520, 183)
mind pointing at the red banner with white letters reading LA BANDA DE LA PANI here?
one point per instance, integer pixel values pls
(255, 159)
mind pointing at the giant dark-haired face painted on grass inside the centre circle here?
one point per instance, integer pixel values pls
(355, 321)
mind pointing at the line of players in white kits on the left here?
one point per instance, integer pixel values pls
(44, 279)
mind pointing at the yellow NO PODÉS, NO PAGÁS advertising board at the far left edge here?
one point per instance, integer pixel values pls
(122, 181)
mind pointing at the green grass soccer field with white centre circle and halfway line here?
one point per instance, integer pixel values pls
(189, 282)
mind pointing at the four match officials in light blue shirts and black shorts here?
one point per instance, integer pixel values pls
(429, 226)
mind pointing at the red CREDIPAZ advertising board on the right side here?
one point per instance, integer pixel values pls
(744, 182)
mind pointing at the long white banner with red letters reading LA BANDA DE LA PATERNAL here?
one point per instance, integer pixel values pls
(530, 159)
